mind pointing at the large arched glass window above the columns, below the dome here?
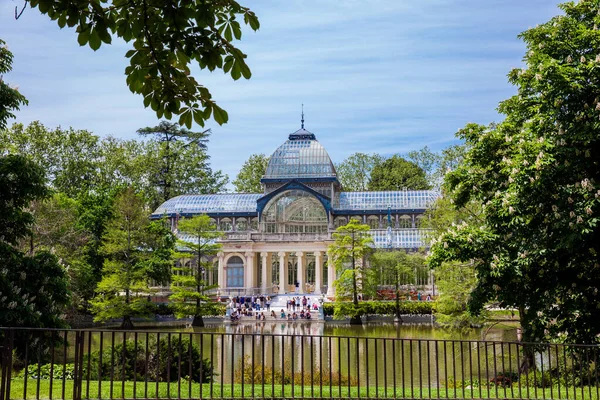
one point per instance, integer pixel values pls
(294, 211)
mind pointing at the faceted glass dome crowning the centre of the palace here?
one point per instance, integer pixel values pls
(301, 156)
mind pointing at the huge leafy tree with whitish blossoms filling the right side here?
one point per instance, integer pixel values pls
(536, 176)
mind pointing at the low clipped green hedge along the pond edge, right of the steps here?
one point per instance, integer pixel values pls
(347, 309)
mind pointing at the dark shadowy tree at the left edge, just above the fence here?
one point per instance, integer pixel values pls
(34, 288)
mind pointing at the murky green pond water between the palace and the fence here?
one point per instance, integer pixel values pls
(415, 354)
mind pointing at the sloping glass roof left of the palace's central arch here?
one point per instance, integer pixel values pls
(209, 203)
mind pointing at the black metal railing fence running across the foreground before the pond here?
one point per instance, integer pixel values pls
(102, 364)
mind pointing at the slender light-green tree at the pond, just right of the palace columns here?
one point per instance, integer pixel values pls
(351, 243)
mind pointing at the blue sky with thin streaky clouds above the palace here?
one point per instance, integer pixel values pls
(384, 76)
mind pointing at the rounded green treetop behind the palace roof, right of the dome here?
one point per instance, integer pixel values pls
(396, 173)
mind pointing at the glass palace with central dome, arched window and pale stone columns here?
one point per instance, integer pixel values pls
(277, 240)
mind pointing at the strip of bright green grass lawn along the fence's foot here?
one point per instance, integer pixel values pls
(102, 390)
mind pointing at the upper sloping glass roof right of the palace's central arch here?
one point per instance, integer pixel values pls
(401, 199)
